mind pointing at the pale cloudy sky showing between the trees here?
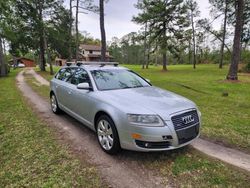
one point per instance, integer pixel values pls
(118, 15)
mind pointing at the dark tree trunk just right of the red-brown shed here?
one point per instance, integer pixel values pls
(41, 37)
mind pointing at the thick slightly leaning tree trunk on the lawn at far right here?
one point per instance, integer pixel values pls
(233, 71)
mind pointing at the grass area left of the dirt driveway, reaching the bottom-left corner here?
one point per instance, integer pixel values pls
(29, 153)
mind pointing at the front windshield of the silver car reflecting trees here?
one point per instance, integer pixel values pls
(117, 79)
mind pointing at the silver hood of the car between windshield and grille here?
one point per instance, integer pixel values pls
(147, 100)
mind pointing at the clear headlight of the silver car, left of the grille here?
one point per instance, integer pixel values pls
(146, 120)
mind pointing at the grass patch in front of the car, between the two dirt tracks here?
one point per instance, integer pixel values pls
(187, 167)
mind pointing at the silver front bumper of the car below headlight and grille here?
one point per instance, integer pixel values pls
(157, 138)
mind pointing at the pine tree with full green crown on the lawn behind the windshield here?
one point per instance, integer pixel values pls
(166, 19)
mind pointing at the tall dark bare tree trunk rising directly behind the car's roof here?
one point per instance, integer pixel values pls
(103, 34)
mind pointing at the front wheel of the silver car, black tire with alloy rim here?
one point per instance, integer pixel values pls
(107, 135)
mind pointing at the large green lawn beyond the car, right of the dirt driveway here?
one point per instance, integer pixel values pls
(224, 119)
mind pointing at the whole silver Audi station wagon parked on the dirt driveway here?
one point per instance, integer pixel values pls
(123, 108)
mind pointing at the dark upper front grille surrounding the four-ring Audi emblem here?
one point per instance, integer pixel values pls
(179, 123)
